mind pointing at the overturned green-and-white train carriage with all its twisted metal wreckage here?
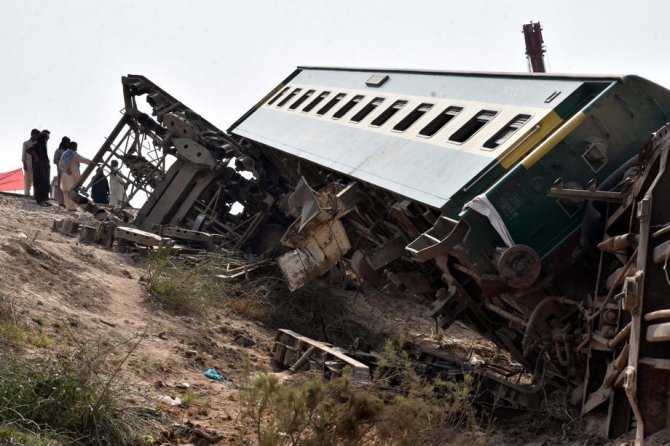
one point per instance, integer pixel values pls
(531, 207)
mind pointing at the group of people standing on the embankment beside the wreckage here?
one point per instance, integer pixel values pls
(36, 168)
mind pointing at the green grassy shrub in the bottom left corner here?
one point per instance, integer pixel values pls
(78, 399)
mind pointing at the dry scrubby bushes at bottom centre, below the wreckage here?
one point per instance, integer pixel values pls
(398, 408)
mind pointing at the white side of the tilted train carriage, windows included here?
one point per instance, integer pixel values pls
(423, 135)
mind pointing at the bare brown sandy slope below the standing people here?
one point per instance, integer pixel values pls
(97, 294)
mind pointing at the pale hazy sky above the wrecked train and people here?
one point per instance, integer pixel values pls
(61, 60)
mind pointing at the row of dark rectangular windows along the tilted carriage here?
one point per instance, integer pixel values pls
(312, 101)
